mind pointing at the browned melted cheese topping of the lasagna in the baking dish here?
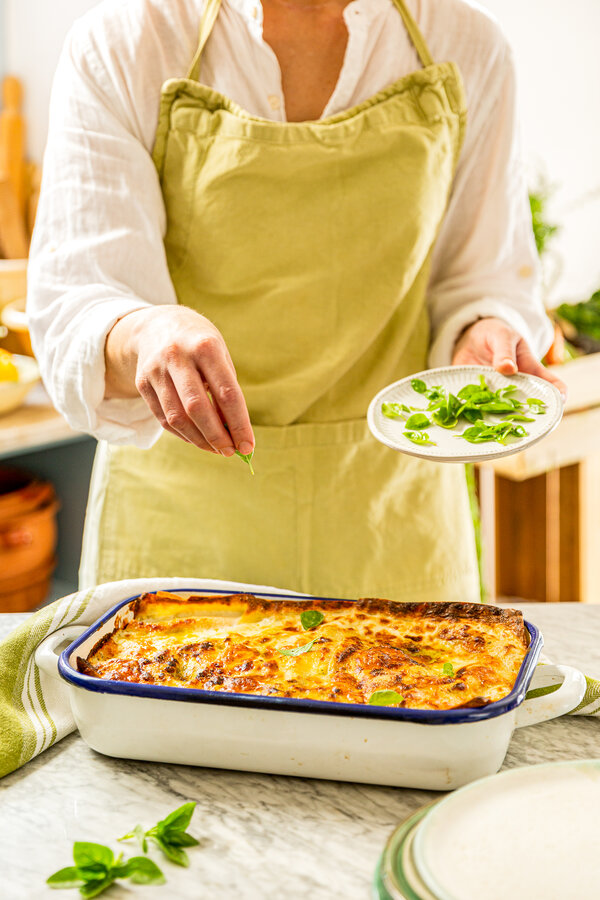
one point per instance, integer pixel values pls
(435, 655)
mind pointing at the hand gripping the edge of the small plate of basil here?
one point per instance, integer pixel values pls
(491, 342)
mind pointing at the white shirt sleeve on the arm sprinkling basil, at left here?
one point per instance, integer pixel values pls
(97, 251)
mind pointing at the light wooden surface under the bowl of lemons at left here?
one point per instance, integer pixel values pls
(33, 426)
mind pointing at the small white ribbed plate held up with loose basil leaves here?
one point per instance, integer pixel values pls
(448, 447)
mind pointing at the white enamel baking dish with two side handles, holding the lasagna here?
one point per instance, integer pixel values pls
(438, 750)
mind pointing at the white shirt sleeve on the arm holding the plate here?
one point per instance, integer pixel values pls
(485, 261)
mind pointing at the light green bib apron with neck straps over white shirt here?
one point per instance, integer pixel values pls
(308, 245)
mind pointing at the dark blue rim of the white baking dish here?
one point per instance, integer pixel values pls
(299, 704)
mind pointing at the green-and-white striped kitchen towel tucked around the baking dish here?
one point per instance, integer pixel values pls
(34, 707)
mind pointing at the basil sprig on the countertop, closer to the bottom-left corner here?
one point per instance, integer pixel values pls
(96, 869)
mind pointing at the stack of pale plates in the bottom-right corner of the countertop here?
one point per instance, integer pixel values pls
(524, 834)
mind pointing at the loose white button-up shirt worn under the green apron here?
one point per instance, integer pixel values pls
(98, 252)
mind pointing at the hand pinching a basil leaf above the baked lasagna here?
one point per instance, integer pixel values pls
(173, 357)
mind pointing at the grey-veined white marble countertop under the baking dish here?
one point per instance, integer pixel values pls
(261, 837)
